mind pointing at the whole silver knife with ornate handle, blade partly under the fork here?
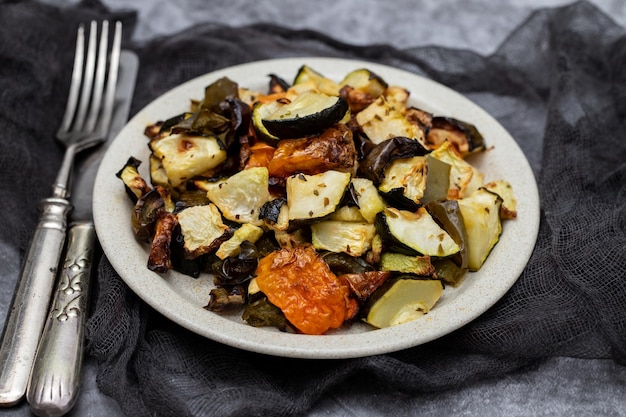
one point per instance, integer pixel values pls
(55, 377)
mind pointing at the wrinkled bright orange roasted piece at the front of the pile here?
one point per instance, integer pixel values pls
(300, 283)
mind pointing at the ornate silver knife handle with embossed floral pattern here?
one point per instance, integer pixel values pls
(55, 379)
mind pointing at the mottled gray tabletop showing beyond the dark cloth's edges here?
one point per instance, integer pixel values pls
(557, 387)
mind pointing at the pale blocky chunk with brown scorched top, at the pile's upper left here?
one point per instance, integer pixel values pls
(183, 156)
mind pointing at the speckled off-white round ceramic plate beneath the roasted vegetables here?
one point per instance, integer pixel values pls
(181, 298)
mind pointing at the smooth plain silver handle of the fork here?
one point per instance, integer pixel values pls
(29, 307)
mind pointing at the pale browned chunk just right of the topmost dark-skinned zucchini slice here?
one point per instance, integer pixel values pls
(381, 121)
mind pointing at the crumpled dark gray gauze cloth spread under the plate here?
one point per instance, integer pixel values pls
(558, 84)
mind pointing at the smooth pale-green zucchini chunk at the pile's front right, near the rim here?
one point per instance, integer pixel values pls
(404, 301)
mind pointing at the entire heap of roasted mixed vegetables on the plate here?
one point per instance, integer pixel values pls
(316, 203)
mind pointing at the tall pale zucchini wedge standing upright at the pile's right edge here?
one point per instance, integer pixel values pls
(481, 216)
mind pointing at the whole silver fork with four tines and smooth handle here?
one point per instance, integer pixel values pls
(85, 124)
